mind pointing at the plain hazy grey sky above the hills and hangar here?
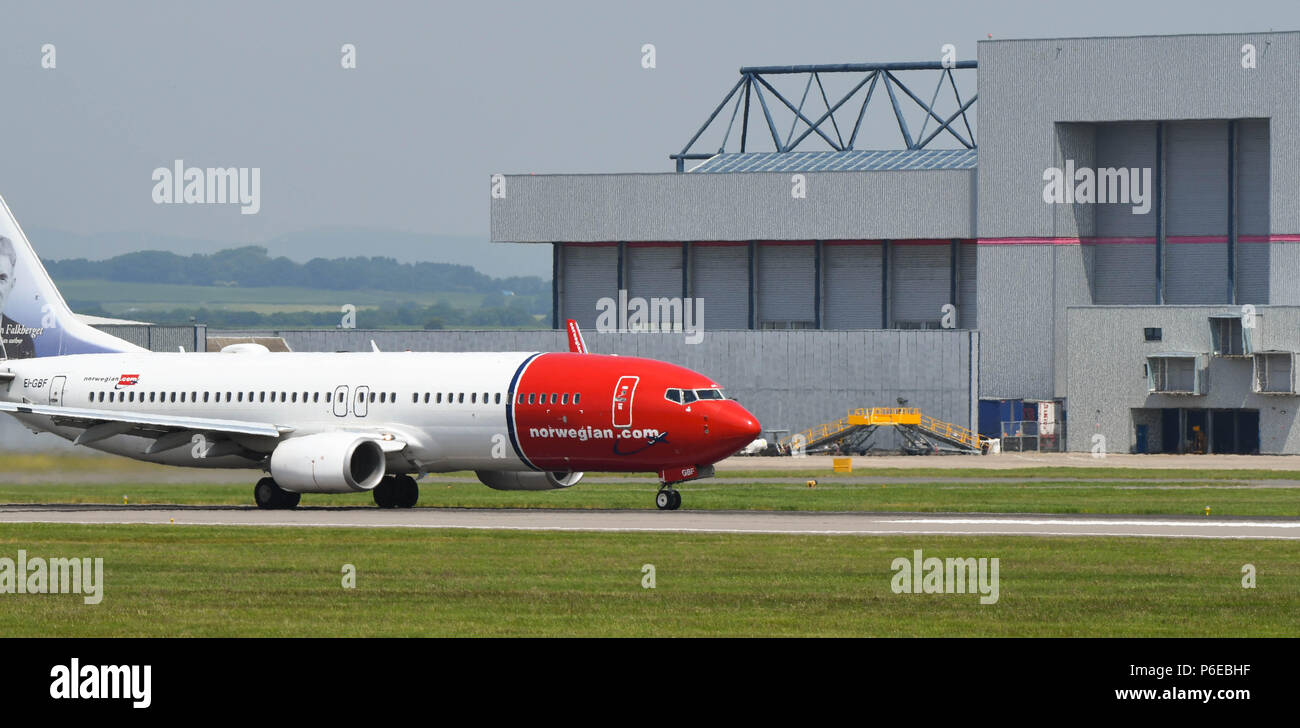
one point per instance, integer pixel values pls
(444, 96)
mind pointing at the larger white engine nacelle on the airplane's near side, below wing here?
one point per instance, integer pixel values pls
(328, 463)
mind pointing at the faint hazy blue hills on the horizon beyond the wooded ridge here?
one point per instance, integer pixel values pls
(493, 259)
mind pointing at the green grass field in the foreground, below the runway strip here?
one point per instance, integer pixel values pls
(268, 582)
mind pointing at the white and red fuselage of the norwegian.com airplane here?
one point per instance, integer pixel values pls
(499, 411)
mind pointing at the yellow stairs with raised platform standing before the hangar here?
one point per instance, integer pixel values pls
(921, 434)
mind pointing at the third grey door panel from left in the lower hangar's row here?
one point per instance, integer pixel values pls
(720, 281)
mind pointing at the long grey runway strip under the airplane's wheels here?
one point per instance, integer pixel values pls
(669, 522)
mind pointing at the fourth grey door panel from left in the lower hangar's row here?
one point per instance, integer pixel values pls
(787, 285)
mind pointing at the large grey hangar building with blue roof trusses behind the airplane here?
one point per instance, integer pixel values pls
(1115, 262)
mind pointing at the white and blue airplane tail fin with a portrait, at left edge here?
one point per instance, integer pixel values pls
(34, 318)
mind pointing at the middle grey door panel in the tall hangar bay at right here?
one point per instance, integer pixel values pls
(1198, 200)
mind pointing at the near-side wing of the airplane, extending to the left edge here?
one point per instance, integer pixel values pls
(101, 424)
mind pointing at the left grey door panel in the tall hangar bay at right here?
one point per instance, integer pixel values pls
(1125, 252)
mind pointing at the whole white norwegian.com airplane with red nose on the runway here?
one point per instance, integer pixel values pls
(366, 422)
